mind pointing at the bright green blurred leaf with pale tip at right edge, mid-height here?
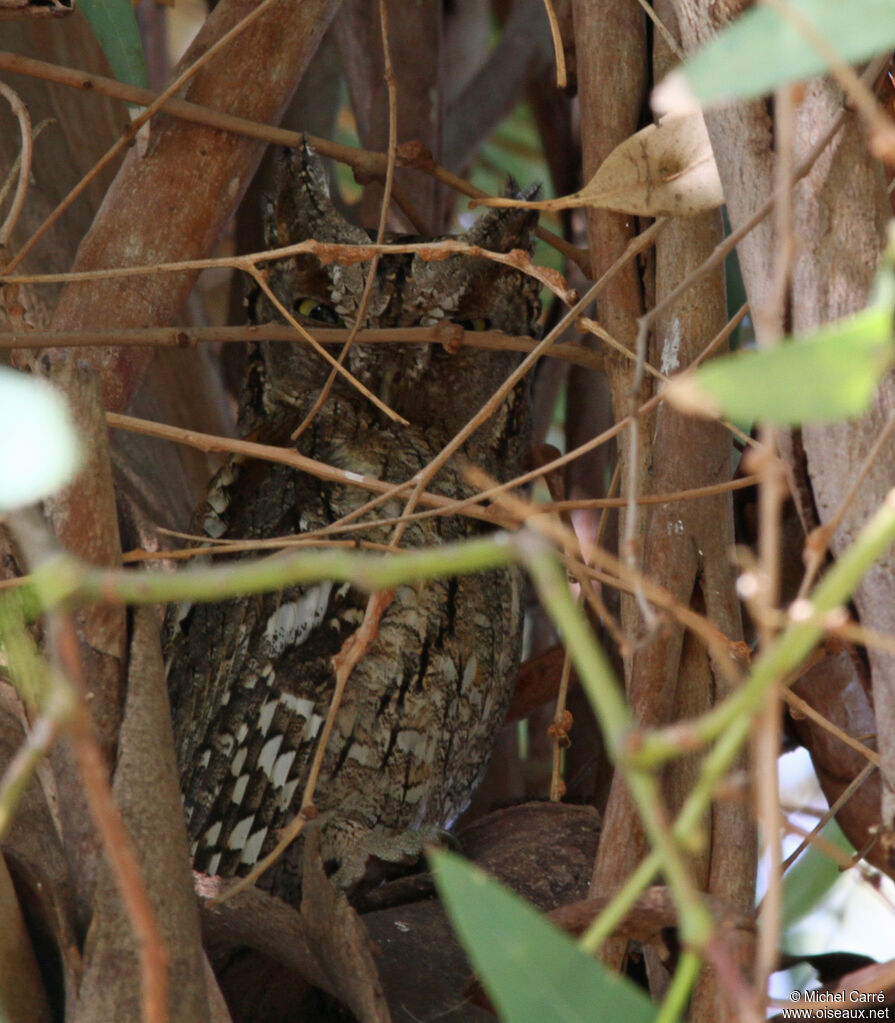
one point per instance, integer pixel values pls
(830, 375)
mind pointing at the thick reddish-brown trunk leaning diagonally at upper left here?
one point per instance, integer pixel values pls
(172, 202)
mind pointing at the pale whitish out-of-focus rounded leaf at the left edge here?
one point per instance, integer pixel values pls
(38, 446)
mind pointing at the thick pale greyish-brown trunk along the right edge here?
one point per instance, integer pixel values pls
(840, 213)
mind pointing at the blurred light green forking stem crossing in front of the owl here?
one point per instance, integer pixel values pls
(62, 581)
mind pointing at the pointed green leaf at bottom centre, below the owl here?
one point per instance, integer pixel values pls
(531, 970)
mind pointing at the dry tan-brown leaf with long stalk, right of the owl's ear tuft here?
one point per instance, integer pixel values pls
(665, 170)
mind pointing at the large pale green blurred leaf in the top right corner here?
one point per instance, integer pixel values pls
(764, 50)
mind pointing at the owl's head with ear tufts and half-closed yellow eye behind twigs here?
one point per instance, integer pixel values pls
(408, 292)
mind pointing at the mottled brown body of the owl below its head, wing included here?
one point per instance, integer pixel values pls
(251, 683)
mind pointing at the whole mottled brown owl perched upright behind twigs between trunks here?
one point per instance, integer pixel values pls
(251, 680)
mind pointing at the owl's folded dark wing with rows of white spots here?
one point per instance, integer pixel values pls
(251, 682)
